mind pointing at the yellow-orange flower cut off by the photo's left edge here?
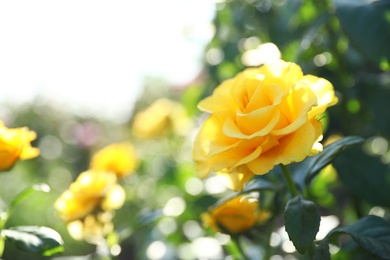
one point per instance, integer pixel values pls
(15, 143)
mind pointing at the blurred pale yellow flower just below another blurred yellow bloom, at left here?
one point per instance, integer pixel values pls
(87, 193)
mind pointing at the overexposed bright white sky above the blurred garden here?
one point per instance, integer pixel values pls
(92, 55)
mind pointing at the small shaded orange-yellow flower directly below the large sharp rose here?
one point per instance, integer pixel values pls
(236, 215)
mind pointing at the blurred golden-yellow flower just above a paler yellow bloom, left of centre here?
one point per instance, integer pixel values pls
(119, 158)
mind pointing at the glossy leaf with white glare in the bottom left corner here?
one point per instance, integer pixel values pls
(41, 240)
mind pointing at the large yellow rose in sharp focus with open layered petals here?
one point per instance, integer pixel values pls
(262, 117)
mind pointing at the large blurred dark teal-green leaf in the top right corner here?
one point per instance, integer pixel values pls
(367, 26)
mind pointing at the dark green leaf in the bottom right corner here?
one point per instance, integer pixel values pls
(371, 233)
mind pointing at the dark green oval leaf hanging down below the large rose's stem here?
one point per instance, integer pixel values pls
(302, 222)
